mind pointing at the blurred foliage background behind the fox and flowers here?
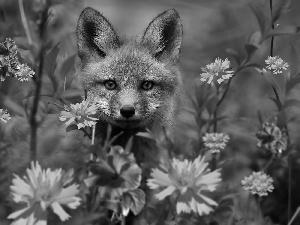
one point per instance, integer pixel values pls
(210, 28)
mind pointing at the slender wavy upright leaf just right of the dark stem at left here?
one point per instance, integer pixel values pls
(50, 66)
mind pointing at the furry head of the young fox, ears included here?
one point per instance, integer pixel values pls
(134, 81)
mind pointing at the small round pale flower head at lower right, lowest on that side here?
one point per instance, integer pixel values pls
(258, 183)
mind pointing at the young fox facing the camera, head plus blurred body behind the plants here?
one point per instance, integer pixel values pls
(135, 81)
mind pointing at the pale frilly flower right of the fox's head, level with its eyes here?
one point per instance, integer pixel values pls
(216, 69)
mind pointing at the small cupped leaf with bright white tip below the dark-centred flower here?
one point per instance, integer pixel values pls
(133, 200)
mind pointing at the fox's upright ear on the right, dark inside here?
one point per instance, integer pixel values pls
(163, 35)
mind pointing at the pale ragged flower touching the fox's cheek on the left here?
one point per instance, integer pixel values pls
(80, 114)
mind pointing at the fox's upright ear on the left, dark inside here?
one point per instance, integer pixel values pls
(95, 35)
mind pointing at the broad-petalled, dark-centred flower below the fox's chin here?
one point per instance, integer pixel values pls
(115, 175)
